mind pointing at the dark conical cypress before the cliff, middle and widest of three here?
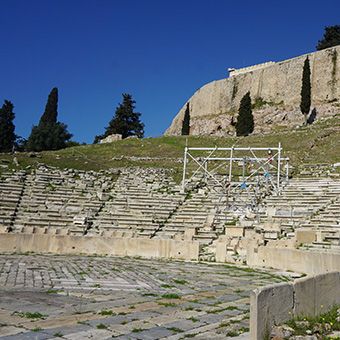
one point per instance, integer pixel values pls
(245, 120)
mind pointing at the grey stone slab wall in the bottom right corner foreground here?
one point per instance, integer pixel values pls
(275, 304)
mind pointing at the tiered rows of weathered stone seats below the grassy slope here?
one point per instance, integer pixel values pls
(146, 203)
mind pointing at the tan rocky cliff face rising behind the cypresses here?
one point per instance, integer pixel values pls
(275, 92)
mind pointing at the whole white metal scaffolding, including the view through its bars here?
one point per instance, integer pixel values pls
(234, 170)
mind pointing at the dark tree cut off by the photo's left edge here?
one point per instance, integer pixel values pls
(7, 135)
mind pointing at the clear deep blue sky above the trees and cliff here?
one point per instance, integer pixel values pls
(160, 51)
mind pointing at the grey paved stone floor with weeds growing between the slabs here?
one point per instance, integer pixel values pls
(77, 297)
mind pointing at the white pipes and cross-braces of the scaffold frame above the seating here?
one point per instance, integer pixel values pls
(262, 163)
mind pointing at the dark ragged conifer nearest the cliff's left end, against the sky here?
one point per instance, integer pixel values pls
(125, 121)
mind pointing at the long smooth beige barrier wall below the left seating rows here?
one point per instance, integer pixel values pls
(65, 244)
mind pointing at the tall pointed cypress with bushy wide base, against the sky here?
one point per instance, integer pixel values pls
(49, 134)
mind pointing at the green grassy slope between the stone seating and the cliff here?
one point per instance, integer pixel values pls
(319, 143)
